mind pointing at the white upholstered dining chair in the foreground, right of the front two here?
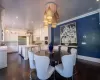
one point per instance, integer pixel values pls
(66, 68)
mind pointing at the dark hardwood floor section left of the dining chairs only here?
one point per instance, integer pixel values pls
(17, 69)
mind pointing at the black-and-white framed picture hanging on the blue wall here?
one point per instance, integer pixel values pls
(68, 33)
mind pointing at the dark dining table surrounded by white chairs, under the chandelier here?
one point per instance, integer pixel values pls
(55, 56)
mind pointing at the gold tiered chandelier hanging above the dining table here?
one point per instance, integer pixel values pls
(51, 15)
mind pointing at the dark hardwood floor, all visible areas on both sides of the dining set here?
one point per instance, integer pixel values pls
(18, 69)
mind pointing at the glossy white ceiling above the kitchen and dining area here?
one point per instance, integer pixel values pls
(30, 12)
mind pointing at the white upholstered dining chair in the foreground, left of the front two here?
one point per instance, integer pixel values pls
(44, 70)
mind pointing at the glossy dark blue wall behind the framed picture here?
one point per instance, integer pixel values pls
(89, 27)
